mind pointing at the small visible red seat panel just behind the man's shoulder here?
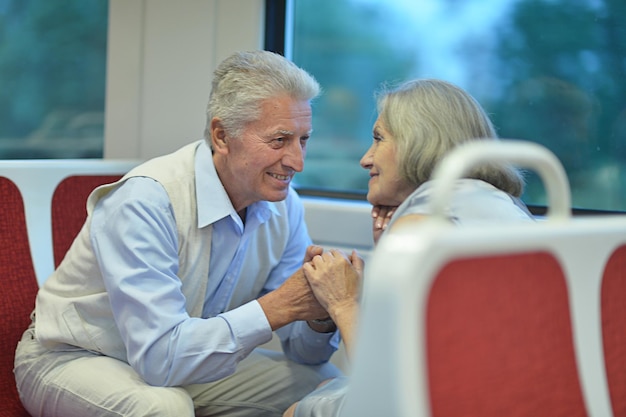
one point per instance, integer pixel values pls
(69, 209)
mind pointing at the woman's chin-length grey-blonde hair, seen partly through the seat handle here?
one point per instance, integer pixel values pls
(428, 118)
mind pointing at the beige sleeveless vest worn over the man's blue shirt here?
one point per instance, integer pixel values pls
(73, 308)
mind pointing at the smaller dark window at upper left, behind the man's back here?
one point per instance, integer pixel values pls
(52, 72)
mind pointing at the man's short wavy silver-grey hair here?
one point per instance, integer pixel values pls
(243, 80)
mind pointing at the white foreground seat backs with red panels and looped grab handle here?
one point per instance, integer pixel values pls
(494, 320)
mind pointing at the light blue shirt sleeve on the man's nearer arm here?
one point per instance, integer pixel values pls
(134, 237)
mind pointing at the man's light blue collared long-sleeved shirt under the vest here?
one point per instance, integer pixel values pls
(134, 236)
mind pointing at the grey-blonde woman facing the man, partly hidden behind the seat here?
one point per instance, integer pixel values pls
(419, 123)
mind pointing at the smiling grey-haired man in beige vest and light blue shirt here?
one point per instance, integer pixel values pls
(185, 266)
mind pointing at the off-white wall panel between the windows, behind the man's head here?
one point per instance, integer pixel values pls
(161, 55)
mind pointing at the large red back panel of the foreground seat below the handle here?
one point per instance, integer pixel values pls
(499, 339)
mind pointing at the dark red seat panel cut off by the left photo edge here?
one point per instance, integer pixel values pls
(18, 289)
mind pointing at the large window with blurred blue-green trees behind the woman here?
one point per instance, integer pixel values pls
(548, 71)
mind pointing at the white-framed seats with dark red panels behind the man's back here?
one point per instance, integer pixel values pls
(37, 196)
